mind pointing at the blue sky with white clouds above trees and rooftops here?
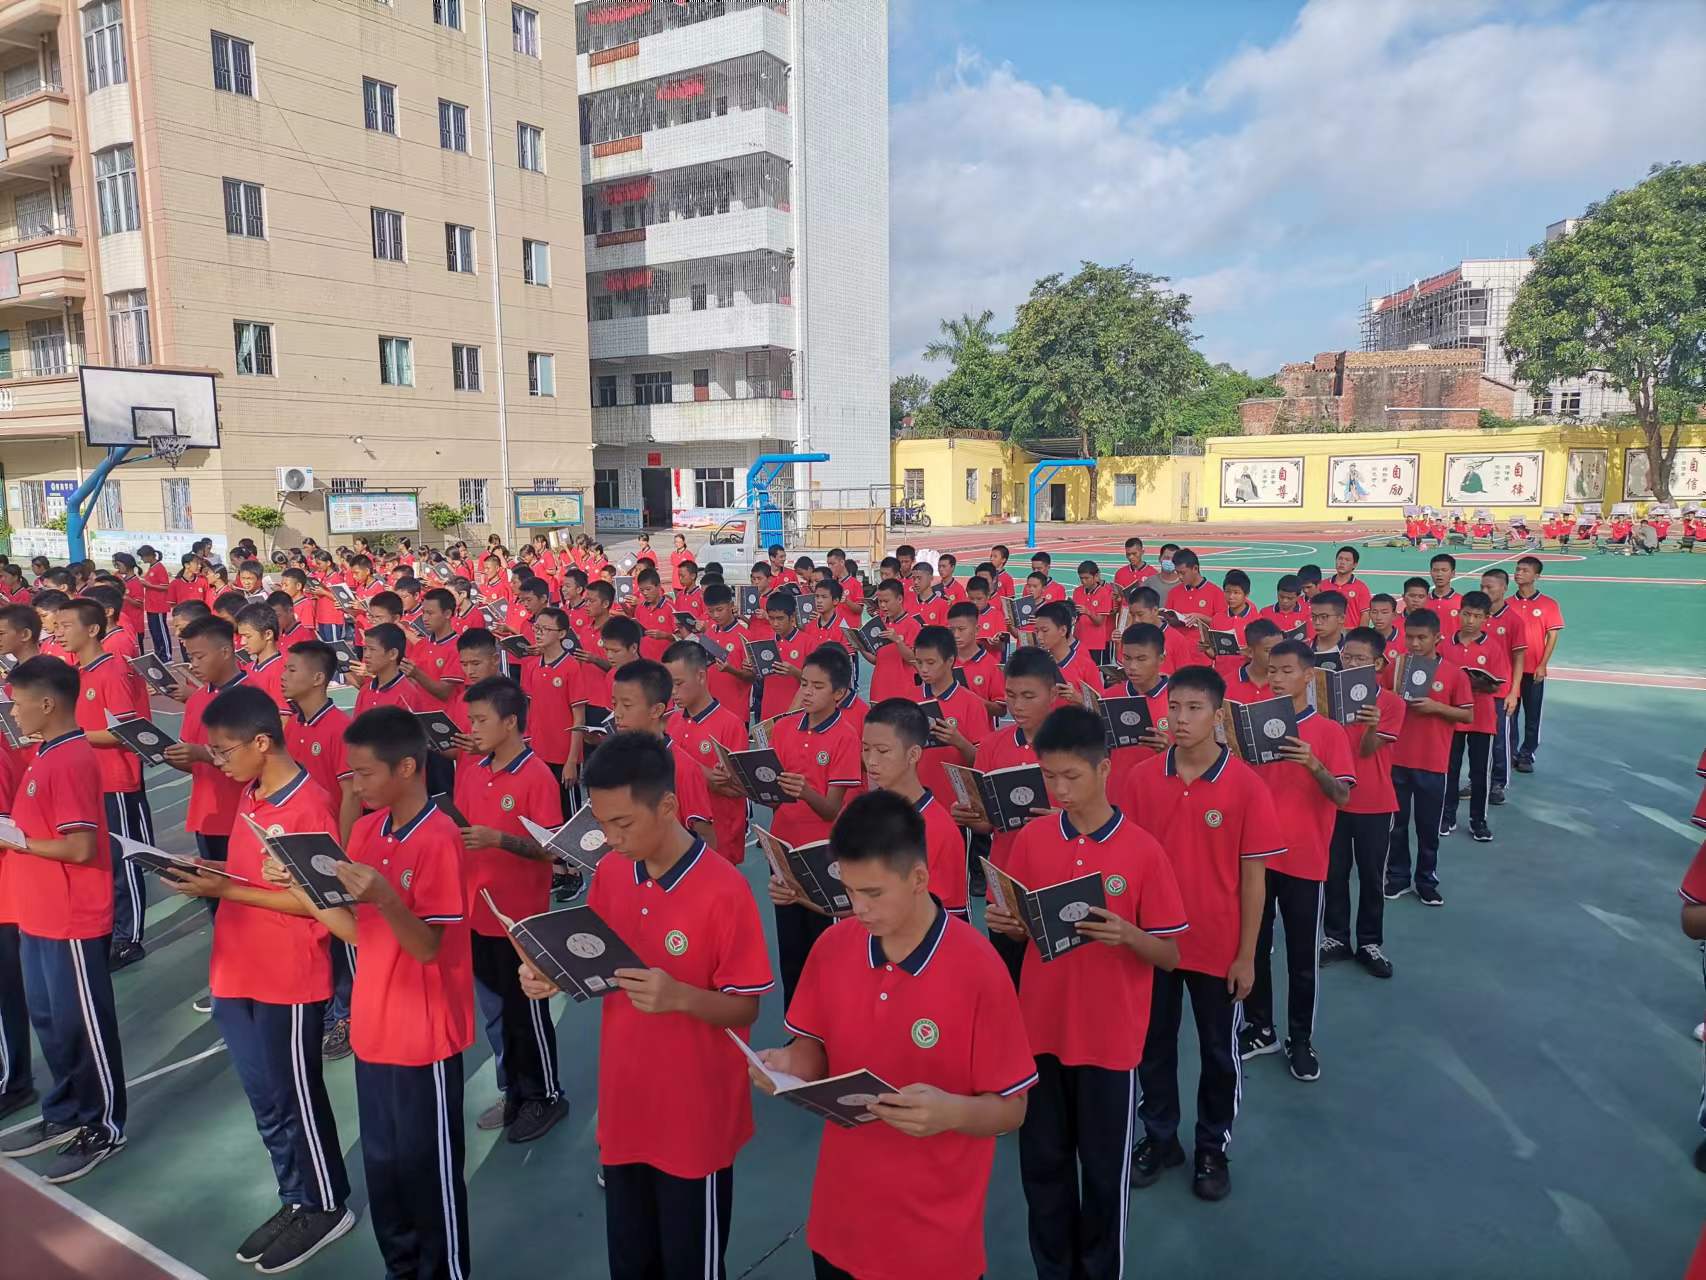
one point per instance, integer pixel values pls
(1279, 161)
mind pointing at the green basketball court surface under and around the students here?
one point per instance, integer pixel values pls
(1521, 1098)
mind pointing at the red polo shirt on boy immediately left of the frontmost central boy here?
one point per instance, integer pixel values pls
(673, 1091)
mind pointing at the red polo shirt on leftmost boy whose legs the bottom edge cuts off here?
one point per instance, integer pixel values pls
(405, 1013)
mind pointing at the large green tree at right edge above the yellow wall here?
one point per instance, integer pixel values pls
(1625, 296)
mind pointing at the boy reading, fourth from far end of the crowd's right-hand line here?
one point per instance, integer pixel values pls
(1420, 759)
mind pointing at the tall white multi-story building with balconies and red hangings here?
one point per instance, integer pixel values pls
(736, 201)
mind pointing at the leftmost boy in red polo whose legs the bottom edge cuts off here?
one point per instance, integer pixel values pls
(414, 1003)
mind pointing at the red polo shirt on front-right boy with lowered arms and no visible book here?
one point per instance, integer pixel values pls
(1207, 827)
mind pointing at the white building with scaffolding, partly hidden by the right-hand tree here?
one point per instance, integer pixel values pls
(1466, 308)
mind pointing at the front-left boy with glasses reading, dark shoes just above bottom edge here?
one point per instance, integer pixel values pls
(270, 974)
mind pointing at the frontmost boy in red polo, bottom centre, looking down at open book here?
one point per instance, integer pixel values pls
(917, 998)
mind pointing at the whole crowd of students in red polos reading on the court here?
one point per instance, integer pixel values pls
(622, 687)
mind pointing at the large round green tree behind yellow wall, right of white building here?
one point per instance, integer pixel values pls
(1101, 358)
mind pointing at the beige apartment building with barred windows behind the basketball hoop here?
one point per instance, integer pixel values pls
(363, 216)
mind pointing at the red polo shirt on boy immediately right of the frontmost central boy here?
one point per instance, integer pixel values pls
(1093, 1006)
